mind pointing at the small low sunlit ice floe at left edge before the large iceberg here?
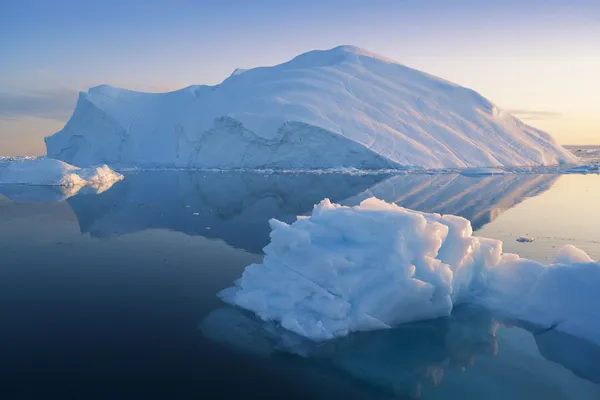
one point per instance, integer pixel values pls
(48, 172)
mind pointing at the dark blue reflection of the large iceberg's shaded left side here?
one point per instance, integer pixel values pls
(234, 207)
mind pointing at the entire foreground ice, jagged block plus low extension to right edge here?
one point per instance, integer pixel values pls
(377, 265)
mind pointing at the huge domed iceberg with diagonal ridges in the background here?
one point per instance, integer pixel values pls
(344, 107)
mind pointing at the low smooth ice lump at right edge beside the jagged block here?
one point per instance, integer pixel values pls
(562, 296)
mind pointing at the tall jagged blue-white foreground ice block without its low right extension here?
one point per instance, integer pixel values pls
(360, 268)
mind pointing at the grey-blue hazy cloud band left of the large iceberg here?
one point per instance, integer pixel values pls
(53, 104)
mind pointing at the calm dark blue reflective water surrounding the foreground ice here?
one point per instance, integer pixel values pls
(112, 295)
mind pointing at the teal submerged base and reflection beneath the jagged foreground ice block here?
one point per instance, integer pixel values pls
(400, 361)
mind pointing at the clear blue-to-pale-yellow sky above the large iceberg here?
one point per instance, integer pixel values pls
(539, 59)
